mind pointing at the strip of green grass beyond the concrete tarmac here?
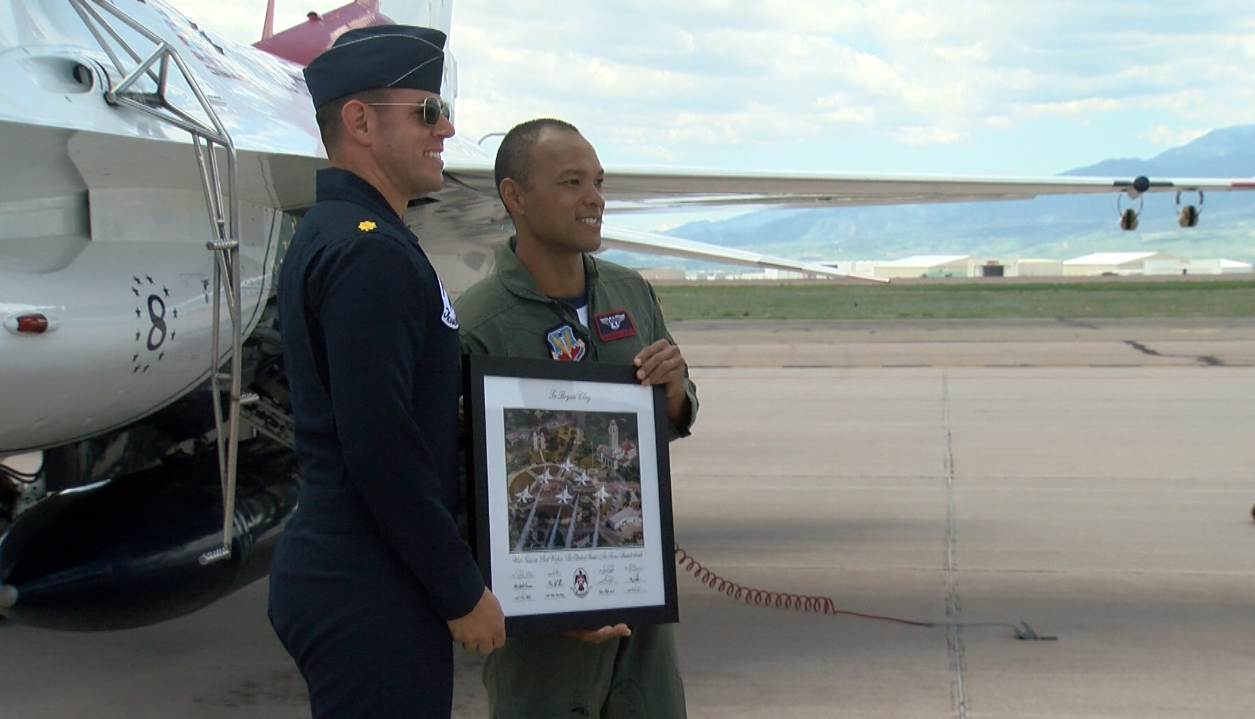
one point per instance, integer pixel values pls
(1118, 298)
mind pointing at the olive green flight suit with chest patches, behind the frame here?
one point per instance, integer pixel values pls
(508, 316)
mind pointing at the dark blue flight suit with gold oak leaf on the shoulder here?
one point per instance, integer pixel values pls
(372, 567)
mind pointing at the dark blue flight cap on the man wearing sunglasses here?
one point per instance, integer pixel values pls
(375, 58)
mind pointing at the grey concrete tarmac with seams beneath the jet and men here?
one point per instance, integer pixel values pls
(1094, 480)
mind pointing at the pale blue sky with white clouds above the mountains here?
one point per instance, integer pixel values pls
(956, 87)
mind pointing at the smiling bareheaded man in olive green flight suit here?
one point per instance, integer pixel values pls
(549, 298)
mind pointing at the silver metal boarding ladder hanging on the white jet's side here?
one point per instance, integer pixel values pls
(222, 198)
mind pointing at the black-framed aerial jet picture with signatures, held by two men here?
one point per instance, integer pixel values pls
(570, 494)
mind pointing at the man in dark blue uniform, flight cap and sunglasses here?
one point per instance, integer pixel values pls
(371, 579)
